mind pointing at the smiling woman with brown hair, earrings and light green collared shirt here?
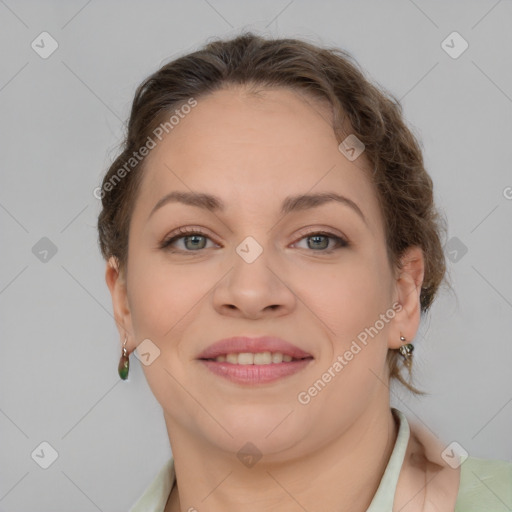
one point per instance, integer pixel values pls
(271, 245)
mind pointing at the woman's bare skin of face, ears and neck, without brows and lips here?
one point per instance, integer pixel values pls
(253, 151)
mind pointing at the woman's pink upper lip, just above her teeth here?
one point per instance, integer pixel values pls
(239, 344)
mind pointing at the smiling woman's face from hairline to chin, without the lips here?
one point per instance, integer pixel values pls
(256, 270)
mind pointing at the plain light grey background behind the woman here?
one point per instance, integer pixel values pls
(61, 121)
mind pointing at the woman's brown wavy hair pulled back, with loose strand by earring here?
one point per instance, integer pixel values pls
(403, 186)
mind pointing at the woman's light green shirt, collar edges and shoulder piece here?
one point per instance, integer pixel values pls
(485, 485)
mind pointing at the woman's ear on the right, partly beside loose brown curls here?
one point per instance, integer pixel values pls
(408, 290)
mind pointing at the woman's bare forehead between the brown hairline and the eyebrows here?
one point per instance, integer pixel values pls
(254, 149)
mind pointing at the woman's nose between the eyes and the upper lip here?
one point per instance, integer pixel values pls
(254, 290)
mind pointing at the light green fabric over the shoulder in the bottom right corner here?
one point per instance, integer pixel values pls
(485, 484)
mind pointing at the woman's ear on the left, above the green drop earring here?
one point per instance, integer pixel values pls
(116, 283)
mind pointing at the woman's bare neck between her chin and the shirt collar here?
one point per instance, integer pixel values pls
(342, 475)
